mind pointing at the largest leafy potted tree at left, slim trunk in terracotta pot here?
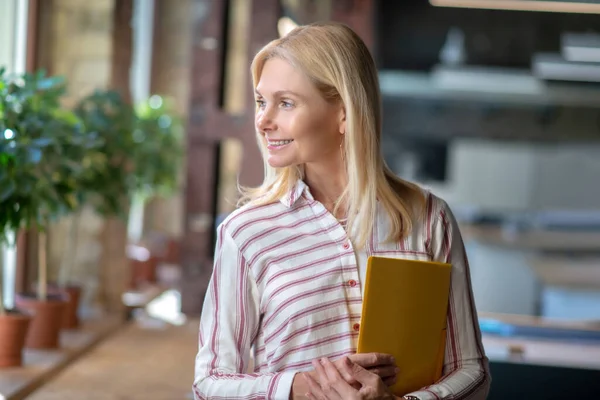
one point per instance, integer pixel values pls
(44, 152)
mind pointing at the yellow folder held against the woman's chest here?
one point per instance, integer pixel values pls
(404, 314)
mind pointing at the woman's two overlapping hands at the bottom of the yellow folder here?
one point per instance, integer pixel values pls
(331, 385)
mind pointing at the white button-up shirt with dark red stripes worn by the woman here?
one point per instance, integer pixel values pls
(286, 289)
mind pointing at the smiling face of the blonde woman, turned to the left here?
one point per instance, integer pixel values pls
(300, 126)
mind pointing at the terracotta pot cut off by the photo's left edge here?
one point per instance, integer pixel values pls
(13, 331)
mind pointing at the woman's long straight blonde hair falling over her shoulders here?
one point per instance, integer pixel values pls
(341, 67)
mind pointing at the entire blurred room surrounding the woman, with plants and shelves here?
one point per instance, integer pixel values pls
(126, 125)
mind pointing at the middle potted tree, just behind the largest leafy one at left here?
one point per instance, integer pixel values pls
(104, 183)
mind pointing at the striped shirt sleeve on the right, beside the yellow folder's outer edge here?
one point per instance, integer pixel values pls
(466, 367)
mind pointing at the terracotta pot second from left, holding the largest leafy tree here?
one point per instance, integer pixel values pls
(44, 330)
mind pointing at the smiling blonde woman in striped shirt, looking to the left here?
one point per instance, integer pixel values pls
(290, 263)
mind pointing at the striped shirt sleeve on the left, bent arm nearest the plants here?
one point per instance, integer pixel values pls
(228, 327)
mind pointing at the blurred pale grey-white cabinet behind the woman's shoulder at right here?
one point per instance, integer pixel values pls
(513, 176)
